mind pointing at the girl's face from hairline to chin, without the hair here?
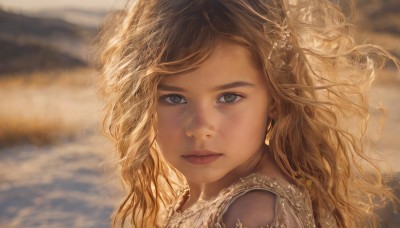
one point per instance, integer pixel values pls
(212, 121)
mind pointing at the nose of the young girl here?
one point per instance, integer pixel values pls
(200, 123)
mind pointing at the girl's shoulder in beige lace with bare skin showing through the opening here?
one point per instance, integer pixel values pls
(261, 201)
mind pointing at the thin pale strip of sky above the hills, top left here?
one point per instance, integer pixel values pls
(38, 5)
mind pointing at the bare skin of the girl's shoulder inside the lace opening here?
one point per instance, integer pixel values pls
(254, 209)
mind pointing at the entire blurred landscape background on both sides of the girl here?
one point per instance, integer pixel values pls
(55, 168)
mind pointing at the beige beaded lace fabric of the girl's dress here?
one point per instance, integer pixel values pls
(292, 206)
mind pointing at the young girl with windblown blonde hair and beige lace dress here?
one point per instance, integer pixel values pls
(238, 113)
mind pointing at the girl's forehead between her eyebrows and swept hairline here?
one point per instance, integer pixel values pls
(228, 62)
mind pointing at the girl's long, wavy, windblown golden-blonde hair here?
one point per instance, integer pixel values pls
(315, 72)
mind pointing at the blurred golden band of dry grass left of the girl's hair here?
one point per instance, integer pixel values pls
(44, 108)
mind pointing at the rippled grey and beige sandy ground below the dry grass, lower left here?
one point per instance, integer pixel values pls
(57, 186)
